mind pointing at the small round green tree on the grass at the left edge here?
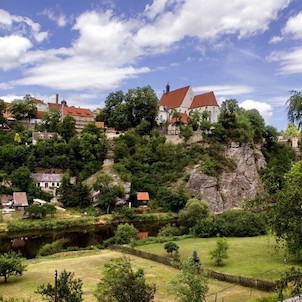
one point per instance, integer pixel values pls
(11, 264)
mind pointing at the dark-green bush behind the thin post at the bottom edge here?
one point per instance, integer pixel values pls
(68, 289)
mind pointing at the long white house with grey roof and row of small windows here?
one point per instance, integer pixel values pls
(48, 182)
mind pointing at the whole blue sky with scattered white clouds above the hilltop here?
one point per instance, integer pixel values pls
(248, 50)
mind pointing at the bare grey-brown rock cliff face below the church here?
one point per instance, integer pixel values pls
(226, 191)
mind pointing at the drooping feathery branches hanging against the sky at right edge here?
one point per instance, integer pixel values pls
(294, 108)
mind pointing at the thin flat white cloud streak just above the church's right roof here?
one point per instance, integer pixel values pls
(221, 90)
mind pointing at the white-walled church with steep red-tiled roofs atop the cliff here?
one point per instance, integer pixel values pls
(184, 101)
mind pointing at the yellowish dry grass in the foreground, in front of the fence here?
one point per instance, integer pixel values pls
(87, 265)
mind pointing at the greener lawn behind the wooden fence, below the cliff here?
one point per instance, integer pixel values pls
(255, 257)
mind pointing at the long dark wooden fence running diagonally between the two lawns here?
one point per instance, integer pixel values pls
(247, 282)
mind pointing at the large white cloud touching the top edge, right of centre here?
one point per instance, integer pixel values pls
(209, 19)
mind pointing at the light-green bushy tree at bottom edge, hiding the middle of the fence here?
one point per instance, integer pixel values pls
(191, 285)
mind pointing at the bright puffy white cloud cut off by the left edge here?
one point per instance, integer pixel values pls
(13, 49)
